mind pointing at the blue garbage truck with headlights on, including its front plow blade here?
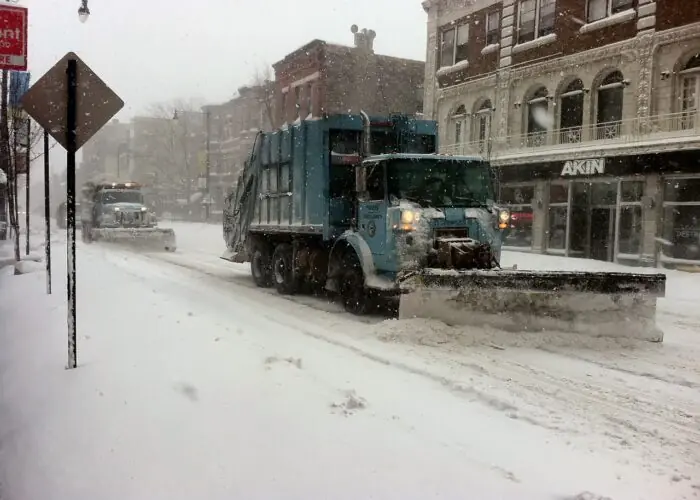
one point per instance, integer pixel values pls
(363, 206)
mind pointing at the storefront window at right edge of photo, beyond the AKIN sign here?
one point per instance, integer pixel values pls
(681, 224)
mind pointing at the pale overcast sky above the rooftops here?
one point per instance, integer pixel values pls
(159, 50)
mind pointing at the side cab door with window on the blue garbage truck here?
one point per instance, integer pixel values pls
(372, 211)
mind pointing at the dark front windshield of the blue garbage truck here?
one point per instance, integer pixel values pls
(440, 183)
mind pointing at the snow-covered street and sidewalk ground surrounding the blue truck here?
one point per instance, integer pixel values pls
(195, 383)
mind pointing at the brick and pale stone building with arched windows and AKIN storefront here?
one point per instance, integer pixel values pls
(588, 108)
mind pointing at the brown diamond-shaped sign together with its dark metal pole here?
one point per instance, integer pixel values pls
(72, 103)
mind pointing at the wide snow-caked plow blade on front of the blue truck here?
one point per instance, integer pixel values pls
(601, 304)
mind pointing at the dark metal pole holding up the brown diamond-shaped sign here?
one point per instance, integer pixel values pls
(71, 142)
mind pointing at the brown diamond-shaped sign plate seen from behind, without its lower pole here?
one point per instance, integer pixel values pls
(47, 101)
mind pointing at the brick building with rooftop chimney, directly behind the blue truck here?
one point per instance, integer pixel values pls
(323, 78)
